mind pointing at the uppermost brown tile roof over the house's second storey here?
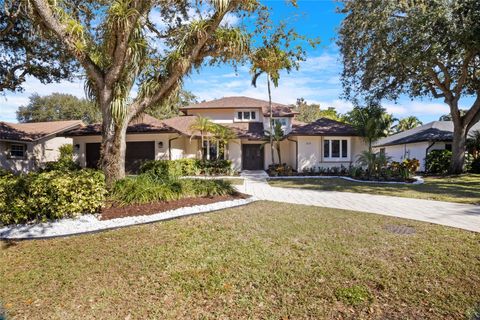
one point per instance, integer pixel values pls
(279, 110)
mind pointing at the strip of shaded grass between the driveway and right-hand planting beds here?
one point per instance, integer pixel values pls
(462, 189)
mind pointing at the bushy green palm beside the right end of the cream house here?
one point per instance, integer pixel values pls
(371, 122)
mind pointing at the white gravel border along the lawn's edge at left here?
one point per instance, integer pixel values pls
(90, 223)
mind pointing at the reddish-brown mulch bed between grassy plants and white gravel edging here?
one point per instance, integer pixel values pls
(114, 211)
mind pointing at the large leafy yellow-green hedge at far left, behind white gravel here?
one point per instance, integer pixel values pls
(50, 195)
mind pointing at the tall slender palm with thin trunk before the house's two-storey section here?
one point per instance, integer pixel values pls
(270, 60)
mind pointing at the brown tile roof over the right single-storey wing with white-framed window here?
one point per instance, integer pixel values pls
(322, 127)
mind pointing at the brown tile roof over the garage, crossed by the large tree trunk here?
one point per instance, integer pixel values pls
(144, 123)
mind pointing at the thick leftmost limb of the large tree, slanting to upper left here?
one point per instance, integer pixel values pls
(42, 8)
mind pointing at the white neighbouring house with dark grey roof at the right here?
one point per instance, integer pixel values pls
(418, 142)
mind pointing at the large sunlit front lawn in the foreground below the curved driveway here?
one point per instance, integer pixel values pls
(261, 261)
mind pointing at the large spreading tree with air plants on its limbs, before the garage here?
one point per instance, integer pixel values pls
(120, 46)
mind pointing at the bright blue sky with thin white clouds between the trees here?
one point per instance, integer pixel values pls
(317, 80)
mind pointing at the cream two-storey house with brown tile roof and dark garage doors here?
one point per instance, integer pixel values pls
(324, 143)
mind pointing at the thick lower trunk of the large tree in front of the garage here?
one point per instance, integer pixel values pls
(112, 159)
